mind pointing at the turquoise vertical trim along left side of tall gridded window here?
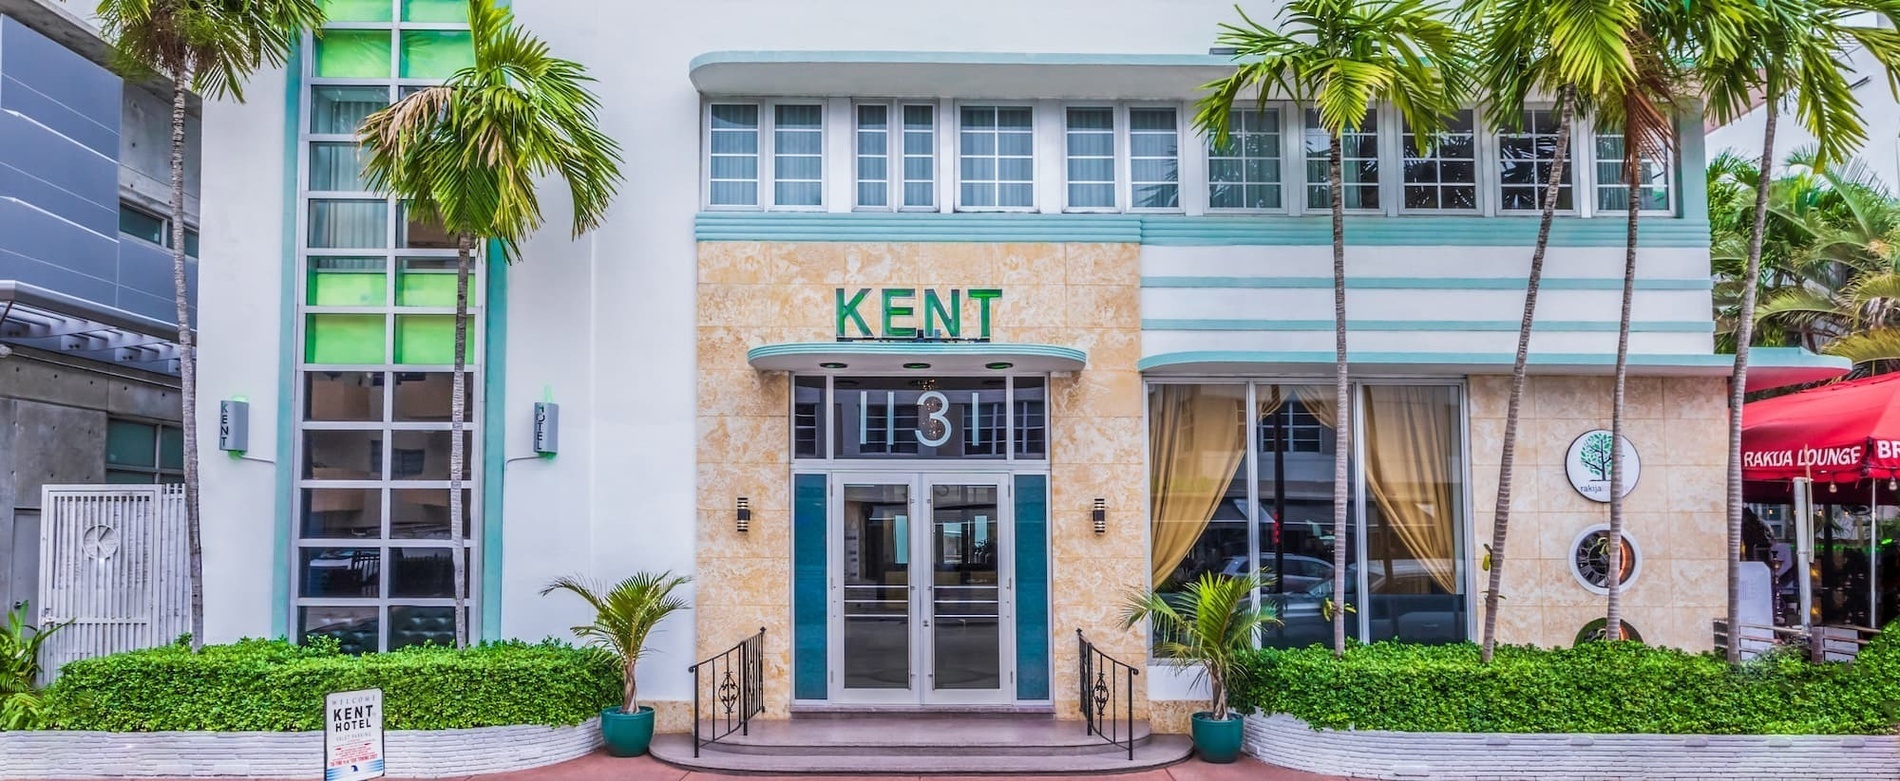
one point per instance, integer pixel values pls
(280, 556)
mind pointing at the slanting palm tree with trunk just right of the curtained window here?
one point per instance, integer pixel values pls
(1580, 52)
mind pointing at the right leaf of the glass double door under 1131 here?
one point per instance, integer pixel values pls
(966, 592)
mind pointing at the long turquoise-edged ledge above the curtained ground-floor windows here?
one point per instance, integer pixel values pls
(1768, 368)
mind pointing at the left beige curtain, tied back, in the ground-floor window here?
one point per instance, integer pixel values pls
(1196, 436)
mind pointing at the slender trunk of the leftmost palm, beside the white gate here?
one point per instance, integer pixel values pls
(181, 292)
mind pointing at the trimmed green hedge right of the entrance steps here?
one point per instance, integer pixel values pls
(1593, 689)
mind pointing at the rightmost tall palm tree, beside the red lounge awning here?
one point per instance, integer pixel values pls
(1793, 54)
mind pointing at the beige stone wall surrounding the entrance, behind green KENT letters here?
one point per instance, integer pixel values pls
(1080, 295)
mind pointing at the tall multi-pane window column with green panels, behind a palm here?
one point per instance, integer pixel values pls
(377, 314)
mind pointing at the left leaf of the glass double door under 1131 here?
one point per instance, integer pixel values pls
(877, 601)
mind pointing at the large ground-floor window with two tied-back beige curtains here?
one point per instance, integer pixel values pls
(1234, 491)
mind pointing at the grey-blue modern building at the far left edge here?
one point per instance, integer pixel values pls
(88, 326)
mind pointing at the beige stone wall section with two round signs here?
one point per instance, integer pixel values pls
(1675, 514)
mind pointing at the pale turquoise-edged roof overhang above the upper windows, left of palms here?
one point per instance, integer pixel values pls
(930, 75)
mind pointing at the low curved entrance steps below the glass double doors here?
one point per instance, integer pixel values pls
(924, 744)
